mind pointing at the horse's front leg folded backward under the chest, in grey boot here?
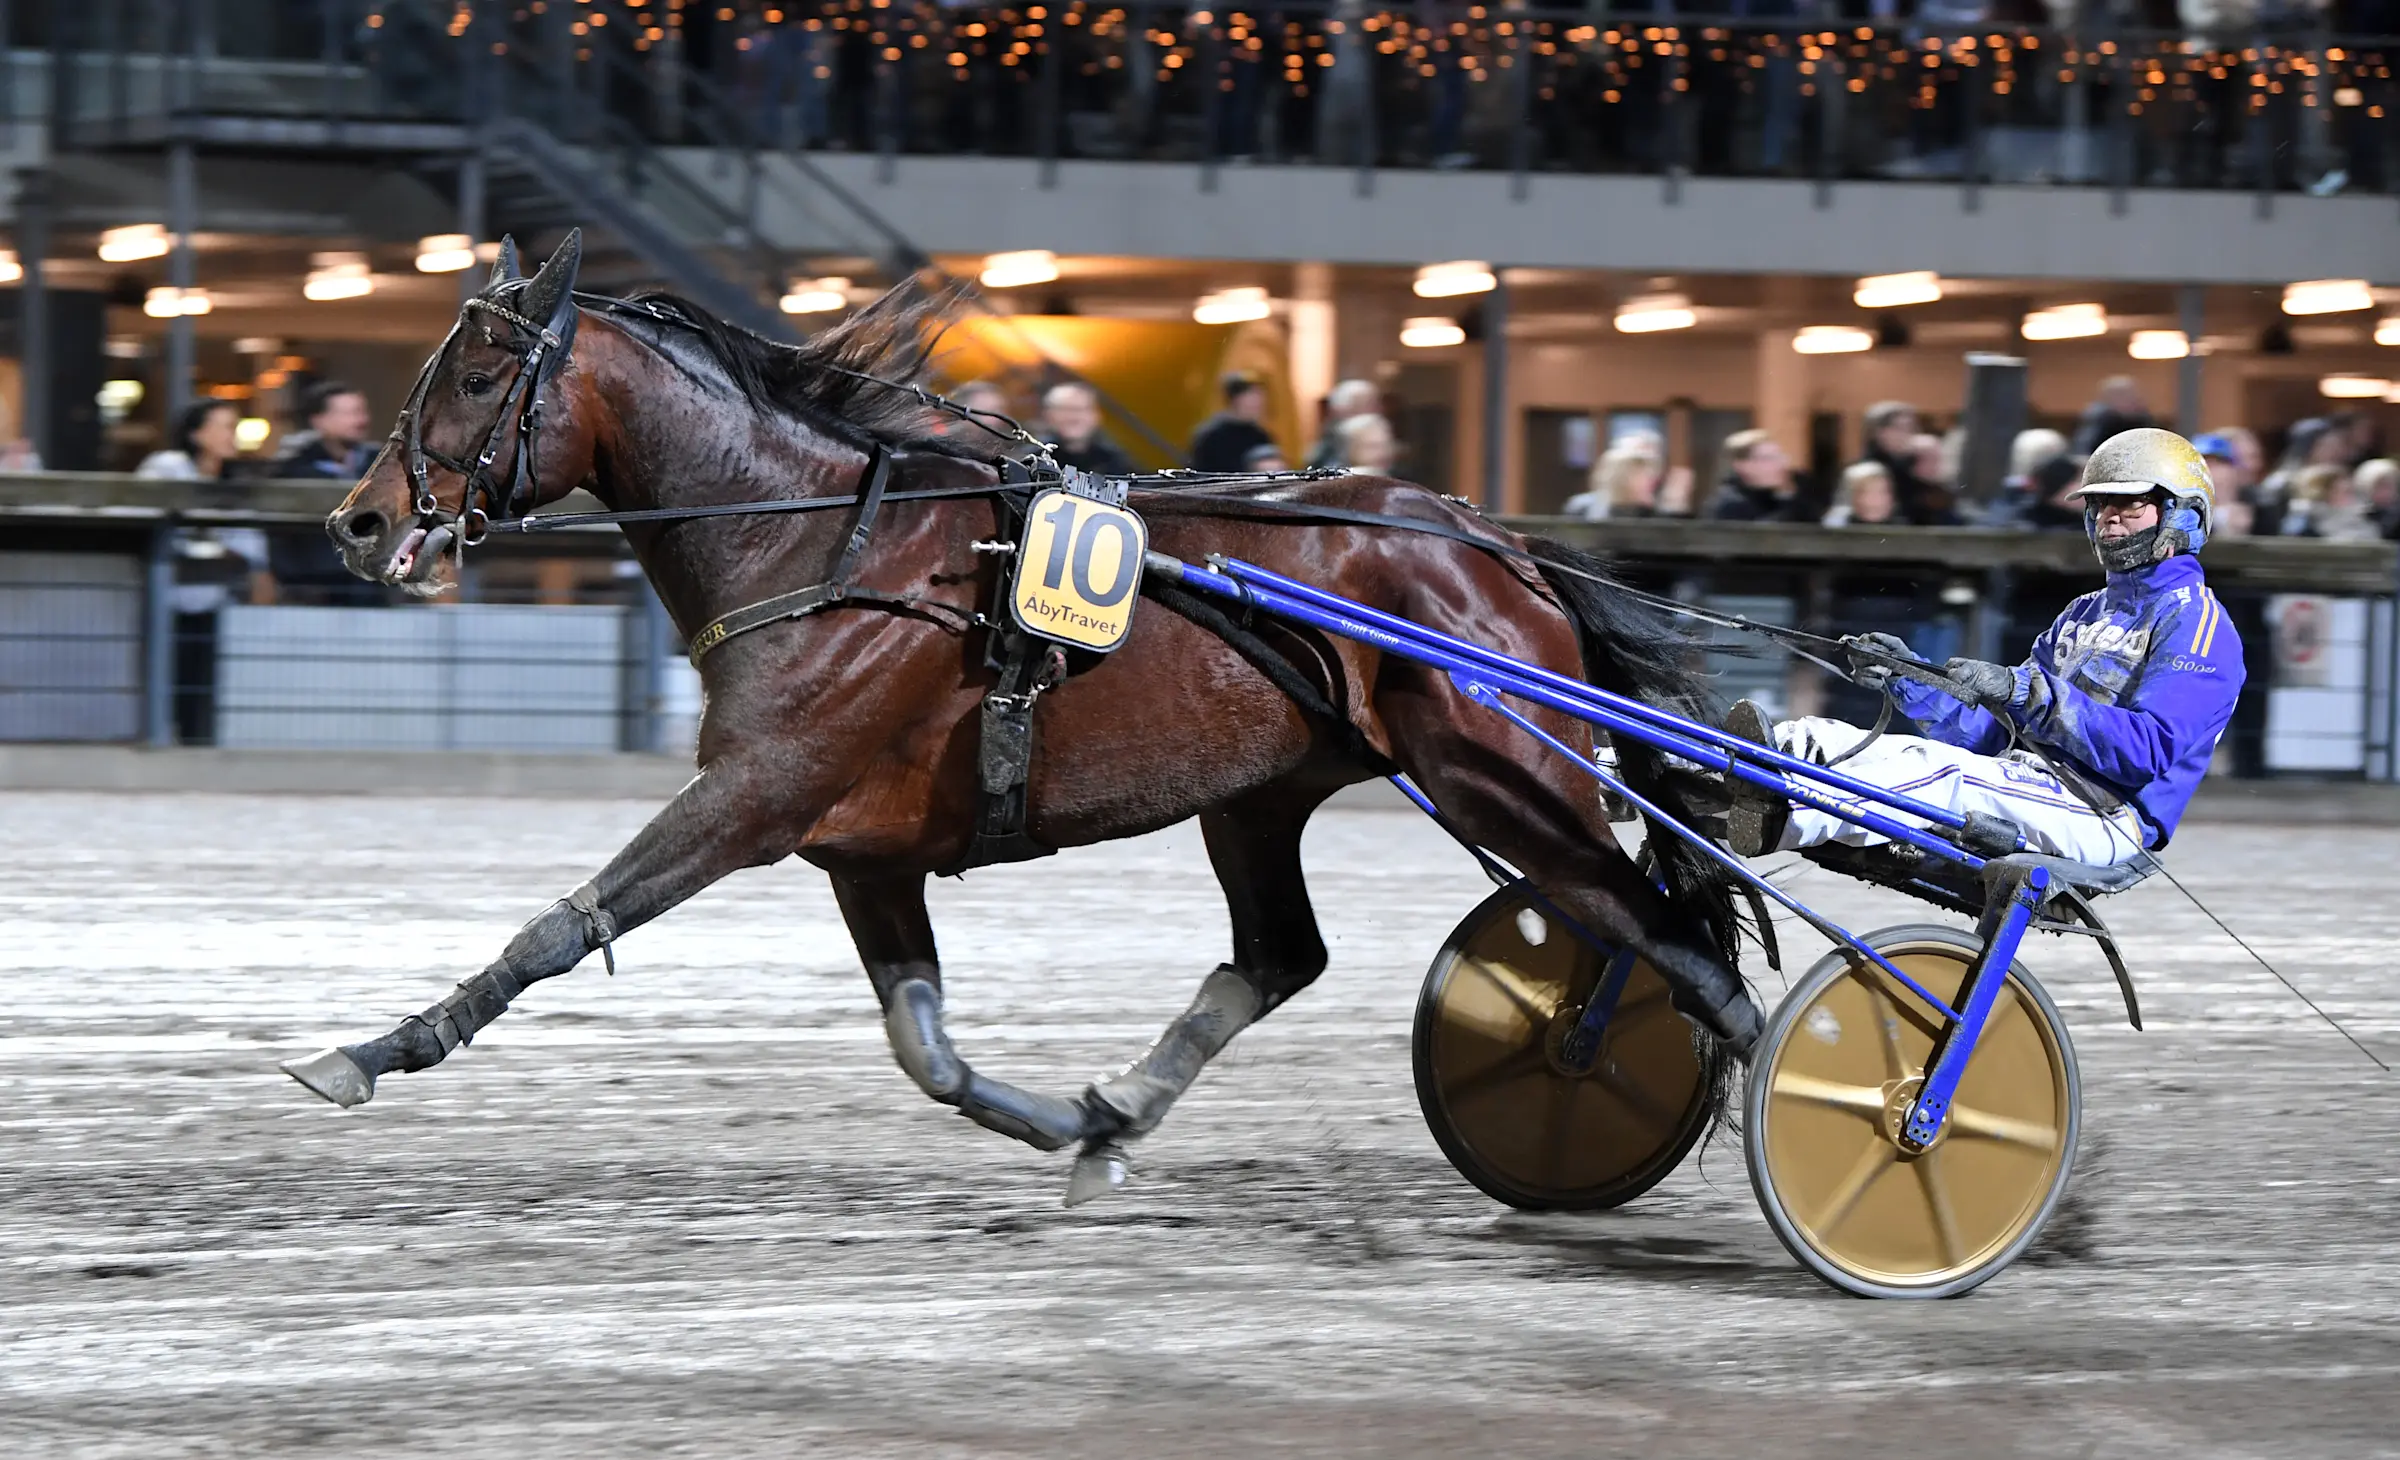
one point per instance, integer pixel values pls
(896, 940)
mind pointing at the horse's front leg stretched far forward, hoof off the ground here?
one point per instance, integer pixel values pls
(724, 820)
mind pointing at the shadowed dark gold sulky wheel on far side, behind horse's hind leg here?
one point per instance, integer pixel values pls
(1511, 1111)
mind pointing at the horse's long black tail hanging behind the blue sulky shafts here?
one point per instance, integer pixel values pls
(1638, 652)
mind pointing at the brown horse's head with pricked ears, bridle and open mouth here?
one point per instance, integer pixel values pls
(491, 431)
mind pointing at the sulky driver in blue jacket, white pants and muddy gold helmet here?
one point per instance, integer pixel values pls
(2096, 743)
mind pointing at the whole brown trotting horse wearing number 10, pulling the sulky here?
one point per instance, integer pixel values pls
(851, 738)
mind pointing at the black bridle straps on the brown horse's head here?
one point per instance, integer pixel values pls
(541, 352)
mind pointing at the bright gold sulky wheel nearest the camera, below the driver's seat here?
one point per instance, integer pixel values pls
(1832, 1084)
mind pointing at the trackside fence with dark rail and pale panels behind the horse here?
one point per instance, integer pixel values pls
(114, 630)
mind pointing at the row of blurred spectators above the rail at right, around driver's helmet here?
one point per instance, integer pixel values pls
(2329, 481)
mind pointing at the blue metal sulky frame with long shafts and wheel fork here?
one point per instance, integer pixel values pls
(1494, 681)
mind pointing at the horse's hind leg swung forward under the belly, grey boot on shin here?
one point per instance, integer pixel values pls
(1256, 849)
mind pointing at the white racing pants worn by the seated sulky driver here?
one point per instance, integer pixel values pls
(2024, 791)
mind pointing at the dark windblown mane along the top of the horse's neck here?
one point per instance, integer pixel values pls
(892, 340)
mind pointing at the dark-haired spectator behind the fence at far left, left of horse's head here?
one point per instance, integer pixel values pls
(210, 563)
